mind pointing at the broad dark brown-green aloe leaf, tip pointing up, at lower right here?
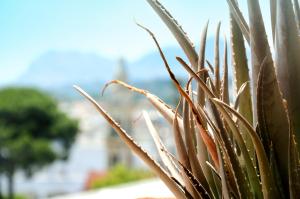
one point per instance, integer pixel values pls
(272, 119)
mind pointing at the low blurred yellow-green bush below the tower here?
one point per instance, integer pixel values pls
(120, 174)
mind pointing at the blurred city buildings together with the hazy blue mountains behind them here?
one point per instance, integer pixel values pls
(97, 148)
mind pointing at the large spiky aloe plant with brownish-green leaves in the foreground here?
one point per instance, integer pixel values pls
(247, 148)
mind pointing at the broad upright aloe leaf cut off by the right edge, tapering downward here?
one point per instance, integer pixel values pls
(288, 61)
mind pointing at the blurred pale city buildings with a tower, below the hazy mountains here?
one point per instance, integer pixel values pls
(97, 147)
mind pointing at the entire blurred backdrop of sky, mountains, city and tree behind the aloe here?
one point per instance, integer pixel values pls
(52, 141)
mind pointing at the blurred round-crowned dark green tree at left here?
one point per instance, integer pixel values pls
(33, 132)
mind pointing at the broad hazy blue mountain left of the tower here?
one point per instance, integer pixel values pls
(59, 69)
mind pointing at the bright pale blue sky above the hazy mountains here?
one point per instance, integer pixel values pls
(29, 28)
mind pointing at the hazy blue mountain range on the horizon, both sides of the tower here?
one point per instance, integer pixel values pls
(57, 71)
